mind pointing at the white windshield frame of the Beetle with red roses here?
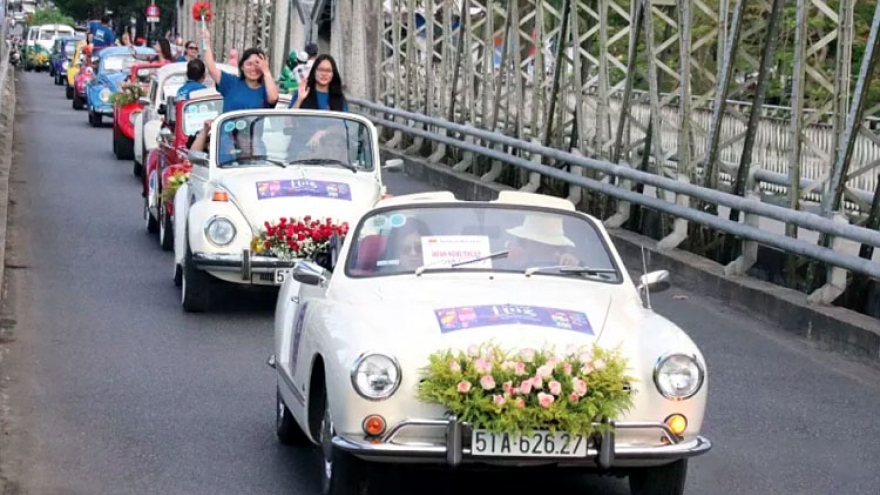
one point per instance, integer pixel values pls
(214, 157)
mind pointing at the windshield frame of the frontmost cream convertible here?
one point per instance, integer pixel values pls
(618, 267)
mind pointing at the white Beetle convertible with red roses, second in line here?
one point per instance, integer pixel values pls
(264, 165)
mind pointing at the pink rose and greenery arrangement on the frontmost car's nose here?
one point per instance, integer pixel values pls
(529, 389)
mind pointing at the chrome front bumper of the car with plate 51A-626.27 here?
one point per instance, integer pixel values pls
(455, 450)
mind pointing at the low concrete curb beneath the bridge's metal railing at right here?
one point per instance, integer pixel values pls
(832, 328)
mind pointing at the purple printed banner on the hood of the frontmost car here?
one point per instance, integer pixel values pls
(465, 317)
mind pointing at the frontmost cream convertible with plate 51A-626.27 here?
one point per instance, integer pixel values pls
(422, 273)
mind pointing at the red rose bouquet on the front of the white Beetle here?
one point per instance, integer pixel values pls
(291, 238)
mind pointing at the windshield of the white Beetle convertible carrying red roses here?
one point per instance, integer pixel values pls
(295, 140)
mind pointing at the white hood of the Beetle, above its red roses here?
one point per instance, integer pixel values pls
(353, 194)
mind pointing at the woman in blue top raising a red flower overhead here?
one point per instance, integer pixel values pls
(254, 88)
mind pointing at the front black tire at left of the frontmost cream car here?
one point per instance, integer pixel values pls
(343, 473)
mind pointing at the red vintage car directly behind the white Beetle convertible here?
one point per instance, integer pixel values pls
(170, 157)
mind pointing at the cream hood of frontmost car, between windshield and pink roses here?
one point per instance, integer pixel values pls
(406, 313)
